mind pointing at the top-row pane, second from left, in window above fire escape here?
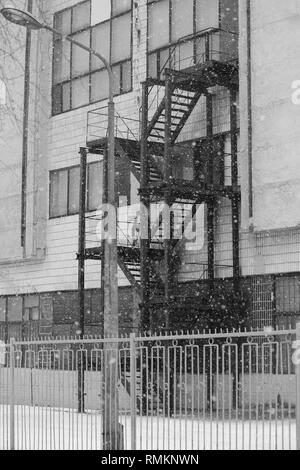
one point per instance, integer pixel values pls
(182, 18)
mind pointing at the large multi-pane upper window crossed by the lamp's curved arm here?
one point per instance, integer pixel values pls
(80, 78)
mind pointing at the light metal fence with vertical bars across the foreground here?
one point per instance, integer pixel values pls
(237, 390)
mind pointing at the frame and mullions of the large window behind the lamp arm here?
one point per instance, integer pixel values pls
(59, 86)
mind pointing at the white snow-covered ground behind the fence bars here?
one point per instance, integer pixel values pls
(39, 428)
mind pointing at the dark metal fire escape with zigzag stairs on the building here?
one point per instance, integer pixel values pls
(152, 263)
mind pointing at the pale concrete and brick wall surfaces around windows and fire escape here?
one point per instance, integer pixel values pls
(48, 261)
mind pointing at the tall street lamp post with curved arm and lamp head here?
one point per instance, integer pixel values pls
(111, 437)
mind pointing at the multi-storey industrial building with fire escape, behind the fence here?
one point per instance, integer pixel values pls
(206, 120)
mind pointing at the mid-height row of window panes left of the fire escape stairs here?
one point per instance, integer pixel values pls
(65, 190)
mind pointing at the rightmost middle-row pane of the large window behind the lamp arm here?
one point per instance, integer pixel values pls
(121, 38)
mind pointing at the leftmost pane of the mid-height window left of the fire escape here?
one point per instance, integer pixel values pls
(58, 193)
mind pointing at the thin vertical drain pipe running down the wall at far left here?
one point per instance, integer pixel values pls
(25, 132)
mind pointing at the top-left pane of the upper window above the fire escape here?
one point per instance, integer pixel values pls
(158, 25)
